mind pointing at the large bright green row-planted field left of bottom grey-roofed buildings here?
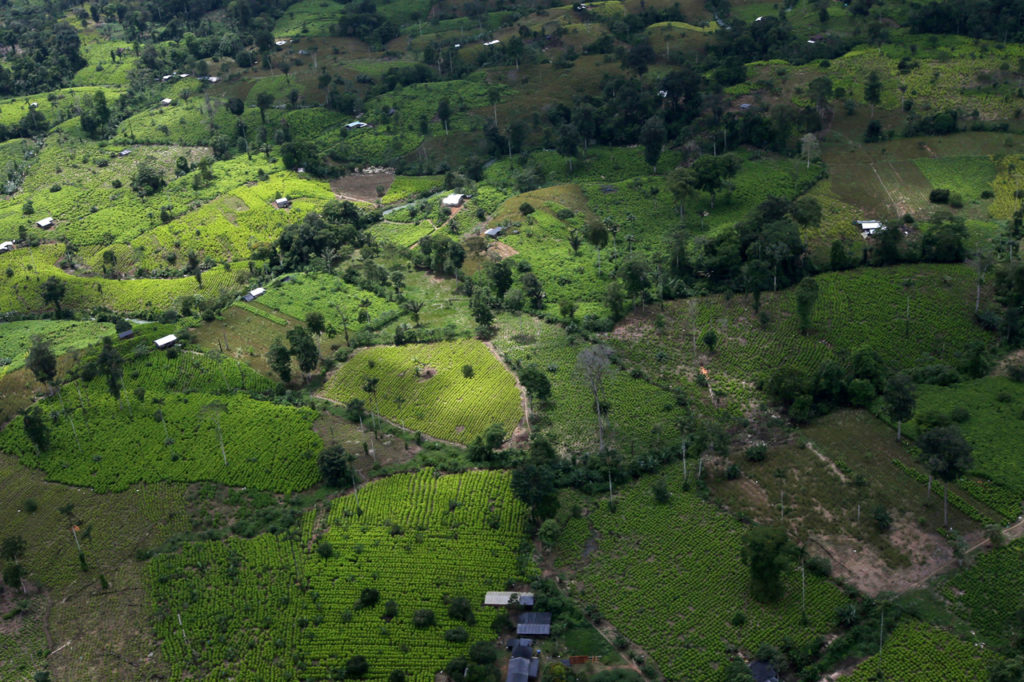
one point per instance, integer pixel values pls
(418, 539)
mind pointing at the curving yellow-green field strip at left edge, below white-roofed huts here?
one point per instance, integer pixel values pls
(23, 291)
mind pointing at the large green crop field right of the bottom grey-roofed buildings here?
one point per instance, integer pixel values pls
(657, 567)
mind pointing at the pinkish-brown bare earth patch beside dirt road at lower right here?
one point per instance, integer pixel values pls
(861, 564)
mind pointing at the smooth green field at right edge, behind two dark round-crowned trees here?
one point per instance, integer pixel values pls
(995, 429)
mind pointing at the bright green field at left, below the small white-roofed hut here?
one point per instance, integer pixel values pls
(267, 446)
